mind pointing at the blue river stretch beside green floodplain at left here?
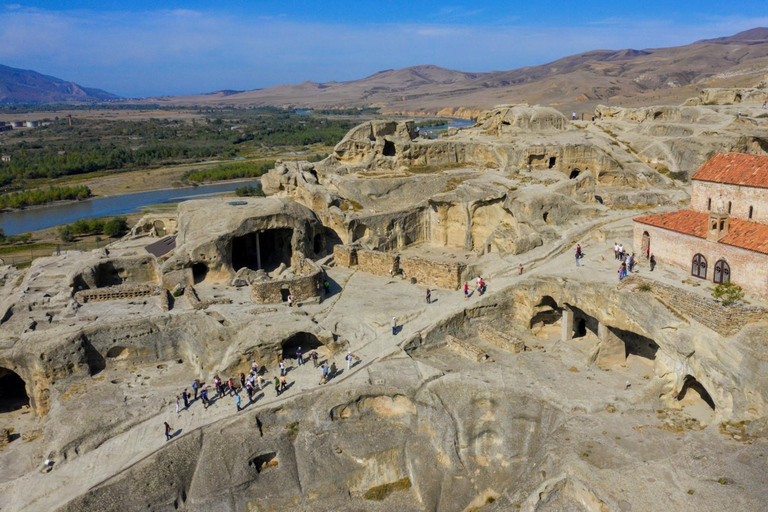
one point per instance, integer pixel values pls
(43, 217)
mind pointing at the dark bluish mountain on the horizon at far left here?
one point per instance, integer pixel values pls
(26, 86)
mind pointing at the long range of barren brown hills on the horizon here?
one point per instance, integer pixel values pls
(618, 77)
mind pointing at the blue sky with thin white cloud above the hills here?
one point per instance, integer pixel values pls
(150, 48)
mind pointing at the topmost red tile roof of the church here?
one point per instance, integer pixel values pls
(735, 169)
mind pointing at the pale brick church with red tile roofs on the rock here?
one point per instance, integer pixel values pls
(724, 235)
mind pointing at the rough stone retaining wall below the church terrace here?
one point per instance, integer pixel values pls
(725, 320)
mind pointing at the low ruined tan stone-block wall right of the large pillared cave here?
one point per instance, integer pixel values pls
(426, 272)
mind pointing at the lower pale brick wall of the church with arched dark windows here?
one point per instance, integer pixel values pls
(749, 269)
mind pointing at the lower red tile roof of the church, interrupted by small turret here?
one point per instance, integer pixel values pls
(741, 233)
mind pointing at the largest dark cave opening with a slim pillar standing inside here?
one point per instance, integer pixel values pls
(264, 249)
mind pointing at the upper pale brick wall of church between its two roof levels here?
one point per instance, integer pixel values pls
(741, 199)
